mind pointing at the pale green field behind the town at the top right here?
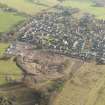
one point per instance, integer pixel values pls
(86, 6)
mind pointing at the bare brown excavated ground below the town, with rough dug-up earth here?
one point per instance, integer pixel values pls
(44, 66)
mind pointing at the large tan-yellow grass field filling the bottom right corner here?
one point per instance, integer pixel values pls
(86, 87)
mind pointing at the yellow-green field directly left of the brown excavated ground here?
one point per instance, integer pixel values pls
(9, 68)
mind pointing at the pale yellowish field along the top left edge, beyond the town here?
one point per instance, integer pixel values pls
(28, 6)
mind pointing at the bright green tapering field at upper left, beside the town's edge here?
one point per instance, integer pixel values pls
(8, 20)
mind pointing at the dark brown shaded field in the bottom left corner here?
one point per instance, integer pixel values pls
(19, 92)
